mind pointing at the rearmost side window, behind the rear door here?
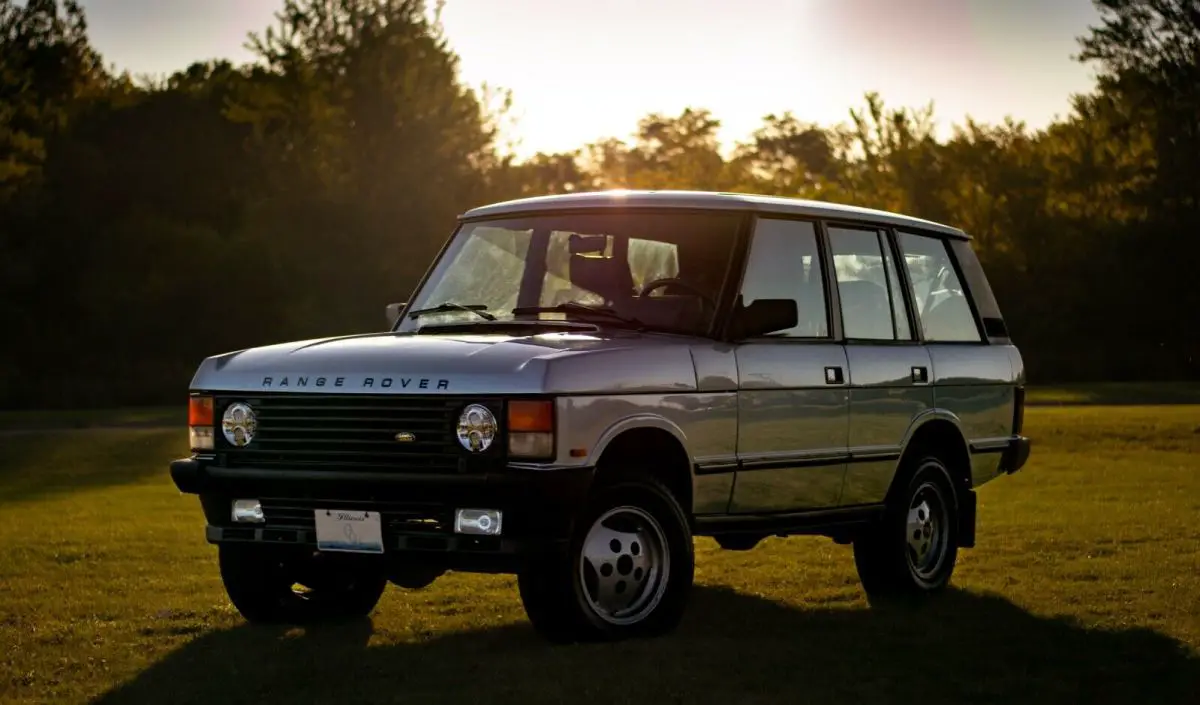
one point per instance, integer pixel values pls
(943, 306)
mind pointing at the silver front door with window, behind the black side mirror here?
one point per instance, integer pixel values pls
(793, 385)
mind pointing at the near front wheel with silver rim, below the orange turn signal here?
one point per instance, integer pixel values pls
(627, 571)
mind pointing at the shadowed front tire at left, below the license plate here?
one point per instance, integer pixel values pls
(261, 582)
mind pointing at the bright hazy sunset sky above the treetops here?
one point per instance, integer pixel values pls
(583, 71)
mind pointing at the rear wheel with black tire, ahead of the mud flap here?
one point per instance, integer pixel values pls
(913, 551)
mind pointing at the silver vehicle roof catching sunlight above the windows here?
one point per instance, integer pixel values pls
(704, 200)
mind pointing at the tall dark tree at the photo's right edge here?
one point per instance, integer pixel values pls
(1149, 58)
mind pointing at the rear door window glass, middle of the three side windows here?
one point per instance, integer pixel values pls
(872, 306)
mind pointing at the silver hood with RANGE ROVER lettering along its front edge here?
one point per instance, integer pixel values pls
(398, 364)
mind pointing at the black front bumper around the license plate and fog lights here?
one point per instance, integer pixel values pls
(418, 509)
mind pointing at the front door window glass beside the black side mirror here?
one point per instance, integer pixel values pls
(784, 264)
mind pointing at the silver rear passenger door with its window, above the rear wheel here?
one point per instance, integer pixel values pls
(890, 370)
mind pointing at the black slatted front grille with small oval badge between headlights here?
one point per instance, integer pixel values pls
(349, 432)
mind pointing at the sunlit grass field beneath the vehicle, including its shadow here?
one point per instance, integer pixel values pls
(1085, 588)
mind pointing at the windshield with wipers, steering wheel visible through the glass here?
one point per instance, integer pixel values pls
(518, 269)
